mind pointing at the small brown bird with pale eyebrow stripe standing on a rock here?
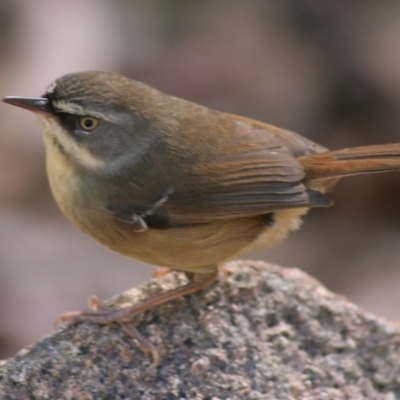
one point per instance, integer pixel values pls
(172, 183)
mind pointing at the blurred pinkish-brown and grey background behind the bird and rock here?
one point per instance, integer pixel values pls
(328, 70)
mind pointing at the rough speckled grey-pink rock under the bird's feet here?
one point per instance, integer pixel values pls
(261, 332)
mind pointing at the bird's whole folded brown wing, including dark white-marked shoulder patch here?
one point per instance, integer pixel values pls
(254, 172)
